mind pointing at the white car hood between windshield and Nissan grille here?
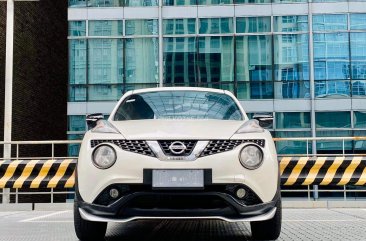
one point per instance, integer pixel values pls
(177, 129)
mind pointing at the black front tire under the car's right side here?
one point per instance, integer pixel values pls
(269, 229)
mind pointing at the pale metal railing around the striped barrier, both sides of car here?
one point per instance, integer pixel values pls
(52, 192)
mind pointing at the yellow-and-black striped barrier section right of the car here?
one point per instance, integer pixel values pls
(323, 171)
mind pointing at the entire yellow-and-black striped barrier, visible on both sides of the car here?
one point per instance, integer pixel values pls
(60, 173)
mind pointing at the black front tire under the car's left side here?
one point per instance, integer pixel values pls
(87, 230)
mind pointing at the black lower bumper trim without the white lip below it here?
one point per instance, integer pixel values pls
(221, 204)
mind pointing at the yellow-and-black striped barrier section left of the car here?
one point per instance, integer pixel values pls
(37, 173)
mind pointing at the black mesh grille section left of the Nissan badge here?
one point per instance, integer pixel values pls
(139, 147)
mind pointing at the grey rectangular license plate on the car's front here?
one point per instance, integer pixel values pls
(177, 179)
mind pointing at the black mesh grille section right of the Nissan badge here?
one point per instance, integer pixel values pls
(218, 146)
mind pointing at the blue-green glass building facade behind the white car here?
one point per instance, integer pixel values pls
(304, 62)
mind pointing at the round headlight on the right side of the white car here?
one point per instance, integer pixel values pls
(251, 157)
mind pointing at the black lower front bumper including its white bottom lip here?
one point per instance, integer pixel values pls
(183, 204)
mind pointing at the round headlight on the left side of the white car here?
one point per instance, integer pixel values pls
(104, 156)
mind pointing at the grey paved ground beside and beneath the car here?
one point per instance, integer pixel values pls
(298, 224)
